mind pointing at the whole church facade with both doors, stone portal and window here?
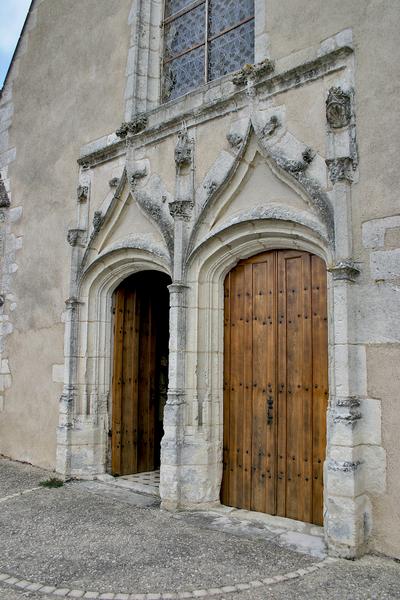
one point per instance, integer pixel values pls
(200, 237)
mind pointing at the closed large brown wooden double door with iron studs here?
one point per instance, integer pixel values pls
(276, 385)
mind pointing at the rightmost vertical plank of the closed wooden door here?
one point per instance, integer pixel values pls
(320, 382)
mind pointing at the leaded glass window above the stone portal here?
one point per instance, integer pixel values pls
(204, 40)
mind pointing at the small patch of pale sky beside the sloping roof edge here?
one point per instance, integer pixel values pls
(12, 17)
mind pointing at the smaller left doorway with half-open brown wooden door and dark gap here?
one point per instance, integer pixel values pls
(141, 326)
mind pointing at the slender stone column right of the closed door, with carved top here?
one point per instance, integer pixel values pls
(348, 507)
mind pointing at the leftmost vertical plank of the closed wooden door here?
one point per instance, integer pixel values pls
(226, 408)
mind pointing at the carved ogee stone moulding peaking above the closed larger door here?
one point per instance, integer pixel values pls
(293, 163)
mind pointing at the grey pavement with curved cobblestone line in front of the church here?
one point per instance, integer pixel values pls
(90, 540)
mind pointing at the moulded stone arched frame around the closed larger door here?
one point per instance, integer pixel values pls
(347, 507)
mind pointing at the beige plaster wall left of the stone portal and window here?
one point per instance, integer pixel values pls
(69, 90)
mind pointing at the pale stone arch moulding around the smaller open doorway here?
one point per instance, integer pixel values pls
(82, 437)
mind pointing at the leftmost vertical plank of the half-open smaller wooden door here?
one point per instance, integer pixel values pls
(117, 387)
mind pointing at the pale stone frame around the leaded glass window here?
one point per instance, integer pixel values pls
(143, 89)
